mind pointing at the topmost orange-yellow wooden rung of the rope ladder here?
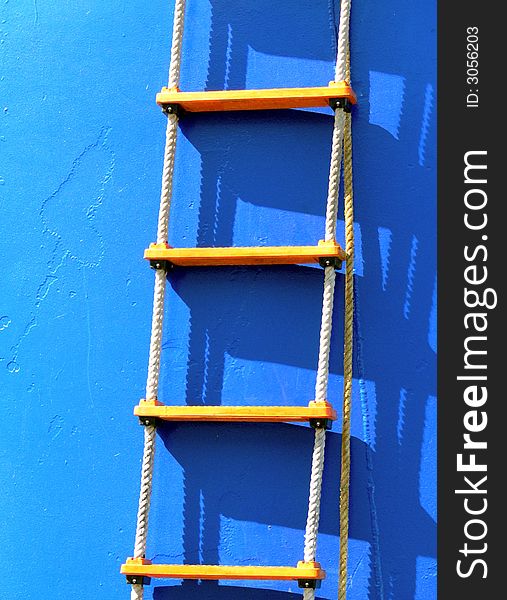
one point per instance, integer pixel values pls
(256, 99)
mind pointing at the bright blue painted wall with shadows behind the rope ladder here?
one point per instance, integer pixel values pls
(80, 159)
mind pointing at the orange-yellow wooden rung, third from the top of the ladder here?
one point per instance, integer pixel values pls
(254, 414)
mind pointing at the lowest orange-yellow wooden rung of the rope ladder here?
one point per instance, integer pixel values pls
(142, 567)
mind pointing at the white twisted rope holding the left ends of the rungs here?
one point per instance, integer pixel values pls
(137, 591)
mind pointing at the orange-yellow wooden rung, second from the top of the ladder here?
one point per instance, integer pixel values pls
(255, 255)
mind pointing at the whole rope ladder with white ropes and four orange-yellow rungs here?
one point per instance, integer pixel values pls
(328, 253)
